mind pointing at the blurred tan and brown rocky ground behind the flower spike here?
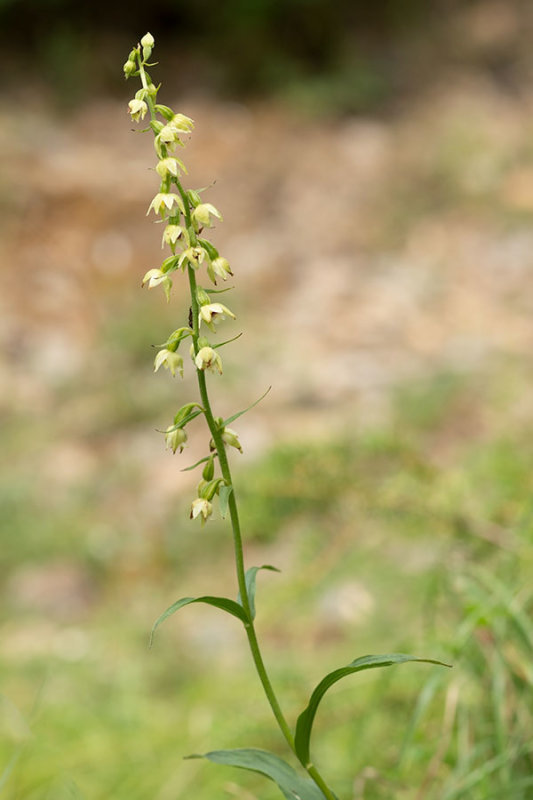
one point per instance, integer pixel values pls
(366, 251)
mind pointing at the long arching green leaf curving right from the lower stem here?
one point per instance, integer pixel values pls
(306, 718)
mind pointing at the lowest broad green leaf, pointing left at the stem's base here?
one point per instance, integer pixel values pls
(271, 766)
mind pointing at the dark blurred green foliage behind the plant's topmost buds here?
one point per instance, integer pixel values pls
(345, 49)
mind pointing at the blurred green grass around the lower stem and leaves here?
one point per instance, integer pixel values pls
(428, 519)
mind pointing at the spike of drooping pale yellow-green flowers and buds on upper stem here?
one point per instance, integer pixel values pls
(185, 216)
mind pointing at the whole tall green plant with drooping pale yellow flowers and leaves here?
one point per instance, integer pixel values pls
(186, 218)
